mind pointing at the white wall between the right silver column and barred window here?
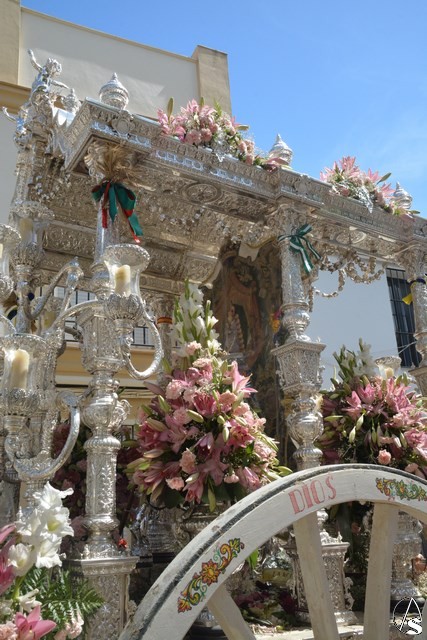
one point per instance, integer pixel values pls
(360, 311)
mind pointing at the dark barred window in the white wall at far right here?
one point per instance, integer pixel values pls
(403, 318)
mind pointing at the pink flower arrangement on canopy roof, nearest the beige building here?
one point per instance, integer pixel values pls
(201, 125)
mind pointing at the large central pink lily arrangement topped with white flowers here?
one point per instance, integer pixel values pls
(199, 439)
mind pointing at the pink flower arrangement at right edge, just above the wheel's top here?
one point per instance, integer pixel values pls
(369, 418)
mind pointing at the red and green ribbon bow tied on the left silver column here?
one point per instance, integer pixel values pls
(112, 193)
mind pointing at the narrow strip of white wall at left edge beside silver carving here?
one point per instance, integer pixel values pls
(7, 167)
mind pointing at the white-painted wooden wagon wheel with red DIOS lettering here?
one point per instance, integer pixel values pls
(197, 575)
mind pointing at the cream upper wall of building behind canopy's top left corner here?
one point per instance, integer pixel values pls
(89, 59)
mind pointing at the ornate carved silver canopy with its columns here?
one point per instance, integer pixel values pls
(190, 201)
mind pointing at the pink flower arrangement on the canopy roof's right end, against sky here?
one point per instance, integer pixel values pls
(347, 179)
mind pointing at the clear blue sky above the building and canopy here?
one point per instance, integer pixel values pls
(333, 78)
